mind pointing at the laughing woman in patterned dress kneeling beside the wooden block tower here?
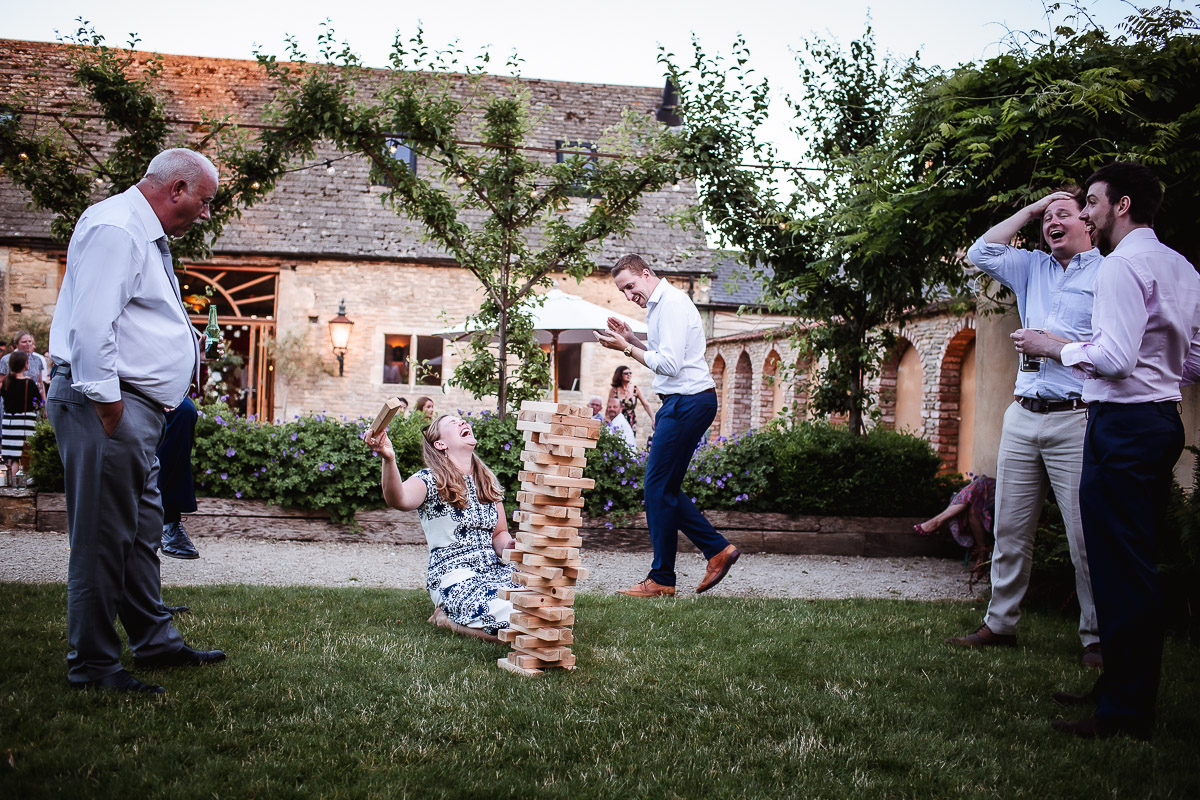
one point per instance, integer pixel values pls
(460, 504)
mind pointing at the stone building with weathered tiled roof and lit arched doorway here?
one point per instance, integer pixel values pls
(323, 237)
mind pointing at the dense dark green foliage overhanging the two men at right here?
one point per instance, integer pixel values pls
(991, 137)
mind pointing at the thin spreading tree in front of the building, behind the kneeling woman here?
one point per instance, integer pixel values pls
(482, 196)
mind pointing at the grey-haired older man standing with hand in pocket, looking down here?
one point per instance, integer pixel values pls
(124, 351)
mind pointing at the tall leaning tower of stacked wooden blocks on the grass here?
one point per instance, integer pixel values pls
(557, 437)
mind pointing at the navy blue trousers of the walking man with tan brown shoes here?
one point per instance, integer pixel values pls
(679, 428)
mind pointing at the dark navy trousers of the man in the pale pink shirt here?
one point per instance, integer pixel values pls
(1130, 454)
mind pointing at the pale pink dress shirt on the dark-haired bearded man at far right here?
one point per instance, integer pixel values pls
(1147, 326)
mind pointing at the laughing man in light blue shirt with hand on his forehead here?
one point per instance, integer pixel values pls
(1042, 444)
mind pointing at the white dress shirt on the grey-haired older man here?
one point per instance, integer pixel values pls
(119, 317)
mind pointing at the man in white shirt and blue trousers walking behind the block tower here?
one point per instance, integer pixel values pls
(676, 356)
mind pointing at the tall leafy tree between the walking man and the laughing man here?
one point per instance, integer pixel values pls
(839, 248)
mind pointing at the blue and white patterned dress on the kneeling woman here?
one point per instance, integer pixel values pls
(465, 574)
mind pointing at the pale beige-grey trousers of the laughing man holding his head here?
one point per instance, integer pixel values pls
(1037, 452)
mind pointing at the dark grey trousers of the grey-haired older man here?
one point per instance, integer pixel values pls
(115, 519)
